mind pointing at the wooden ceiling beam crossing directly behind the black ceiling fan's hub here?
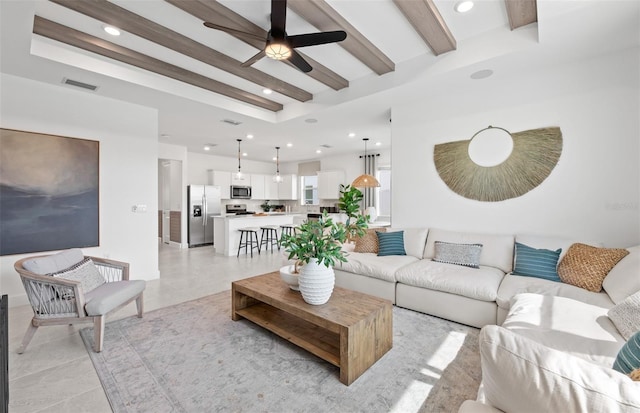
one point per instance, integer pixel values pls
(214, 12)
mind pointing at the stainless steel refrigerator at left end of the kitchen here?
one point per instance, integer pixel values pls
(204, 204)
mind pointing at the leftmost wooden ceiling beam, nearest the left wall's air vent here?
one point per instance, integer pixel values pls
(67, 35)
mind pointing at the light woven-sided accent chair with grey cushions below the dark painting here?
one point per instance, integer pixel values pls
(59, 301)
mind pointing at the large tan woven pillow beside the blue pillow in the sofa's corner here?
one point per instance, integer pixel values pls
(586, 267)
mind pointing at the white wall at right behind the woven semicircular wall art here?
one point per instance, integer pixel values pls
(593, 194)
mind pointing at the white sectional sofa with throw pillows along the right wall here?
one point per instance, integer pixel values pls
(545, 345)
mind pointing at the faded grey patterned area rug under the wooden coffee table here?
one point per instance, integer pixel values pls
(192, 357)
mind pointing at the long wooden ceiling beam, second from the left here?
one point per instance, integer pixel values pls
(112, 14)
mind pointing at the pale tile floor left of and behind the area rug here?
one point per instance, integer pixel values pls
(55, 373)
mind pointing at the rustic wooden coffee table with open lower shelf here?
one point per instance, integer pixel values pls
(351, 331)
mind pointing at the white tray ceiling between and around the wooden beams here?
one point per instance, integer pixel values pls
(567, 30)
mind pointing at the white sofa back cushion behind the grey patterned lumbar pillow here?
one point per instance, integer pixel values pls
(497, 250)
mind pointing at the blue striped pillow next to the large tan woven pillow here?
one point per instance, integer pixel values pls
(541, 263)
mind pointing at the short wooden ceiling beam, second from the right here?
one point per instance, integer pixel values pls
(428, 22)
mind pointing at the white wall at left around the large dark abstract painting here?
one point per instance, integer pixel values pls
(128, 137)
